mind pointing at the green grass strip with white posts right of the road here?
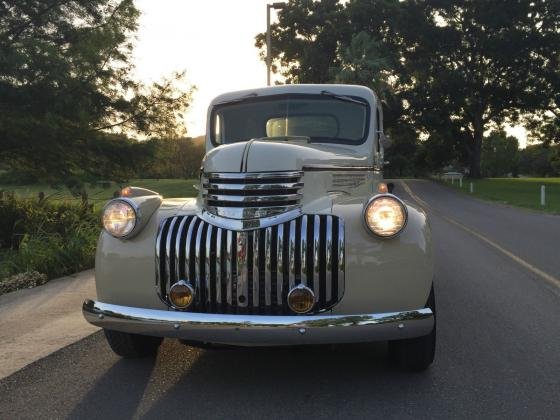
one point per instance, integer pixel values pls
(522, 192)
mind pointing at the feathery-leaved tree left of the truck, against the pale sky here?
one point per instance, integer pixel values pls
(65, 81)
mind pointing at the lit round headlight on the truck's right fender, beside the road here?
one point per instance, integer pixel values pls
(385, 215)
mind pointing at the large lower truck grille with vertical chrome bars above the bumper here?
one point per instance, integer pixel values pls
(251, 272)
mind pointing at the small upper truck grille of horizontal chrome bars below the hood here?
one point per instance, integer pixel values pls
(251, 195)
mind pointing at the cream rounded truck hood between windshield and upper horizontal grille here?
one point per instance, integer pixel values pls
(279, 155)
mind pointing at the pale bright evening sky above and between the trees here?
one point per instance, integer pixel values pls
(214, 42)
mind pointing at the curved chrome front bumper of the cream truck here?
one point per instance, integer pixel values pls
(259, 330)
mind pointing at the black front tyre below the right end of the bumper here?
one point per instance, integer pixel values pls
(416, 354)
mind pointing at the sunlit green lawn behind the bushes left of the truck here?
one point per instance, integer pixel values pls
(170, 188)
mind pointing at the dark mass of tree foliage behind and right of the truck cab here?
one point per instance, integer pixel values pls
(452, 70)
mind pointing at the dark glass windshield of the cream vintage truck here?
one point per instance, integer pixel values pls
(321, 118)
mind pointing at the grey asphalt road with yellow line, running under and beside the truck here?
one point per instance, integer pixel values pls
(498, 350)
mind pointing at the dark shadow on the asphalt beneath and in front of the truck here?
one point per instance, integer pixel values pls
(247, 382)
